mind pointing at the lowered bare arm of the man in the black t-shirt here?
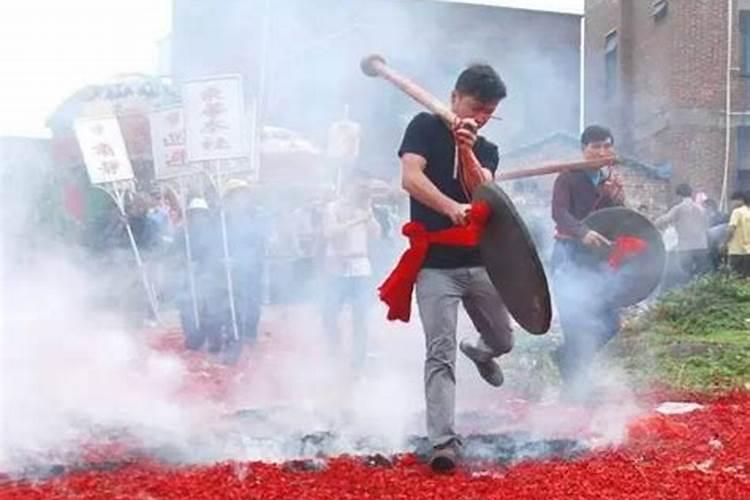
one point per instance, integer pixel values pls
(420, 187)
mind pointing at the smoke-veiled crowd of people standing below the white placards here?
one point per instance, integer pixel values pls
(218, 274)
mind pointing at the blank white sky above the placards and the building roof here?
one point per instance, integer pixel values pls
(51, 48)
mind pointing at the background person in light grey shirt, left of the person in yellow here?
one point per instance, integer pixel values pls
(690, 221)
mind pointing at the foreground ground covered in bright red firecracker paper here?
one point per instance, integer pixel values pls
(703, 454)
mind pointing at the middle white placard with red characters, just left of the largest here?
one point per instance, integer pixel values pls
(168, 143)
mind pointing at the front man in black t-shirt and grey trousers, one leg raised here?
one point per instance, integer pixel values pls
(450, 274)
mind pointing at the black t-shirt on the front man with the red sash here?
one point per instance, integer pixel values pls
(429, 137)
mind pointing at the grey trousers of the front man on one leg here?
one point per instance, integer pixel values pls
(439, 292)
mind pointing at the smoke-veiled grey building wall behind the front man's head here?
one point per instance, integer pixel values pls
(303, 59)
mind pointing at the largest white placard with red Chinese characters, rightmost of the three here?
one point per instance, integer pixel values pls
(215, 119)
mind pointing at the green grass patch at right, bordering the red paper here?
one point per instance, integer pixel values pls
(695, 338)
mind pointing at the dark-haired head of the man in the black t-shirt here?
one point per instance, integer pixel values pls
(478, 91)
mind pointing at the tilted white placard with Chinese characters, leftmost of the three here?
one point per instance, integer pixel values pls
(103, 149)
